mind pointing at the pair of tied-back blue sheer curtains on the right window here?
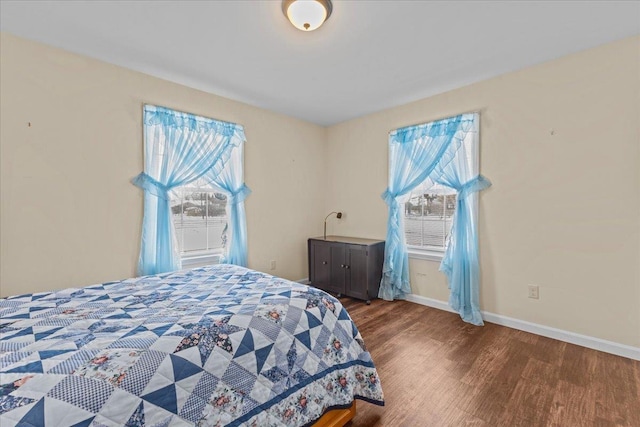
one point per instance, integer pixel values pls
(435, 151)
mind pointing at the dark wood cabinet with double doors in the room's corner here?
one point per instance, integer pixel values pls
(348, 266)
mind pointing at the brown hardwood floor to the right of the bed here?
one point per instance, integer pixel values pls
(438, 371)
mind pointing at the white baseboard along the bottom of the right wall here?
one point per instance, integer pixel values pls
(546, 331)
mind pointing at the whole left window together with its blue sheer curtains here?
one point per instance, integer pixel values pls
(179, 149)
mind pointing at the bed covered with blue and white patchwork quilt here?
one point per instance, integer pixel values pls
(214, 346)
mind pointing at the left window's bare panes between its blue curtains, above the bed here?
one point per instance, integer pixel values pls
(200, 220)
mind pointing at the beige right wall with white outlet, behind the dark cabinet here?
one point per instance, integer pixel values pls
(564, 209)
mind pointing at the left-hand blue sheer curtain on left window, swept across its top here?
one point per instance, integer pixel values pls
(179, 148)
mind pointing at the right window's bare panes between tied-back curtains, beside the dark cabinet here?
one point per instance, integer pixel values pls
(428, 213)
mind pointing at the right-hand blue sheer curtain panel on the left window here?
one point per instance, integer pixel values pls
(231, 182)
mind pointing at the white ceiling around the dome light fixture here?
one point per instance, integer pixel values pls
(370, 55)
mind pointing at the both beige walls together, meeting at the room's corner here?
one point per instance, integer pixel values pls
(563, 212)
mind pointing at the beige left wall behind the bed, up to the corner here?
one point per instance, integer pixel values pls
(70, 217)
